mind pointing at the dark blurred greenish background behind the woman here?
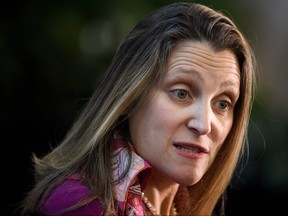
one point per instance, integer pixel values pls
(53, 52)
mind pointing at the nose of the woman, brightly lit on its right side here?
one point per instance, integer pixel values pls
(201, 118)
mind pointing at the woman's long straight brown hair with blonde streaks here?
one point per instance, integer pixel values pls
(136, 67)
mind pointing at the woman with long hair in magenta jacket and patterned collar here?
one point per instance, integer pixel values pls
(166, 127)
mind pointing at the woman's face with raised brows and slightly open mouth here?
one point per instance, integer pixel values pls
(182, 124)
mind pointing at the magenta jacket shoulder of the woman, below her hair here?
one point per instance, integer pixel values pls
(71, 192)
